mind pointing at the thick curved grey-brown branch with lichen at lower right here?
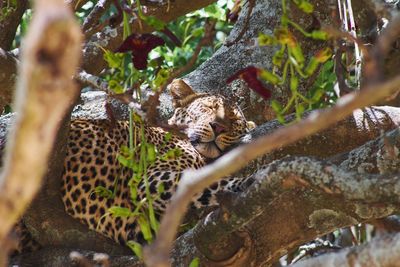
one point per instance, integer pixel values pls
(321, 196)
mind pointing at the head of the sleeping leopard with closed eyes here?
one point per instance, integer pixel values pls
(211, 123)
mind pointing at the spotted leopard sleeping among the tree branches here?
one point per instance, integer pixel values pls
(211, 126)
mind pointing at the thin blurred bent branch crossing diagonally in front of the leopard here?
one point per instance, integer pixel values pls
(194, 182)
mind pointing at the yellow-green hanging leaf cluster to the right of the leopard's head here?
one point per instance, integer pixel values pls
(290, 62)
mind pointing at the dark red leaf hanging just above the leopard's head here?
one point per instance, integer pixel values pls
(250, 76)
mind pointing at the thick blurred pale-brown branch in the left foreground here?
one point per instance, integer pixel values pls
(44, 94)
